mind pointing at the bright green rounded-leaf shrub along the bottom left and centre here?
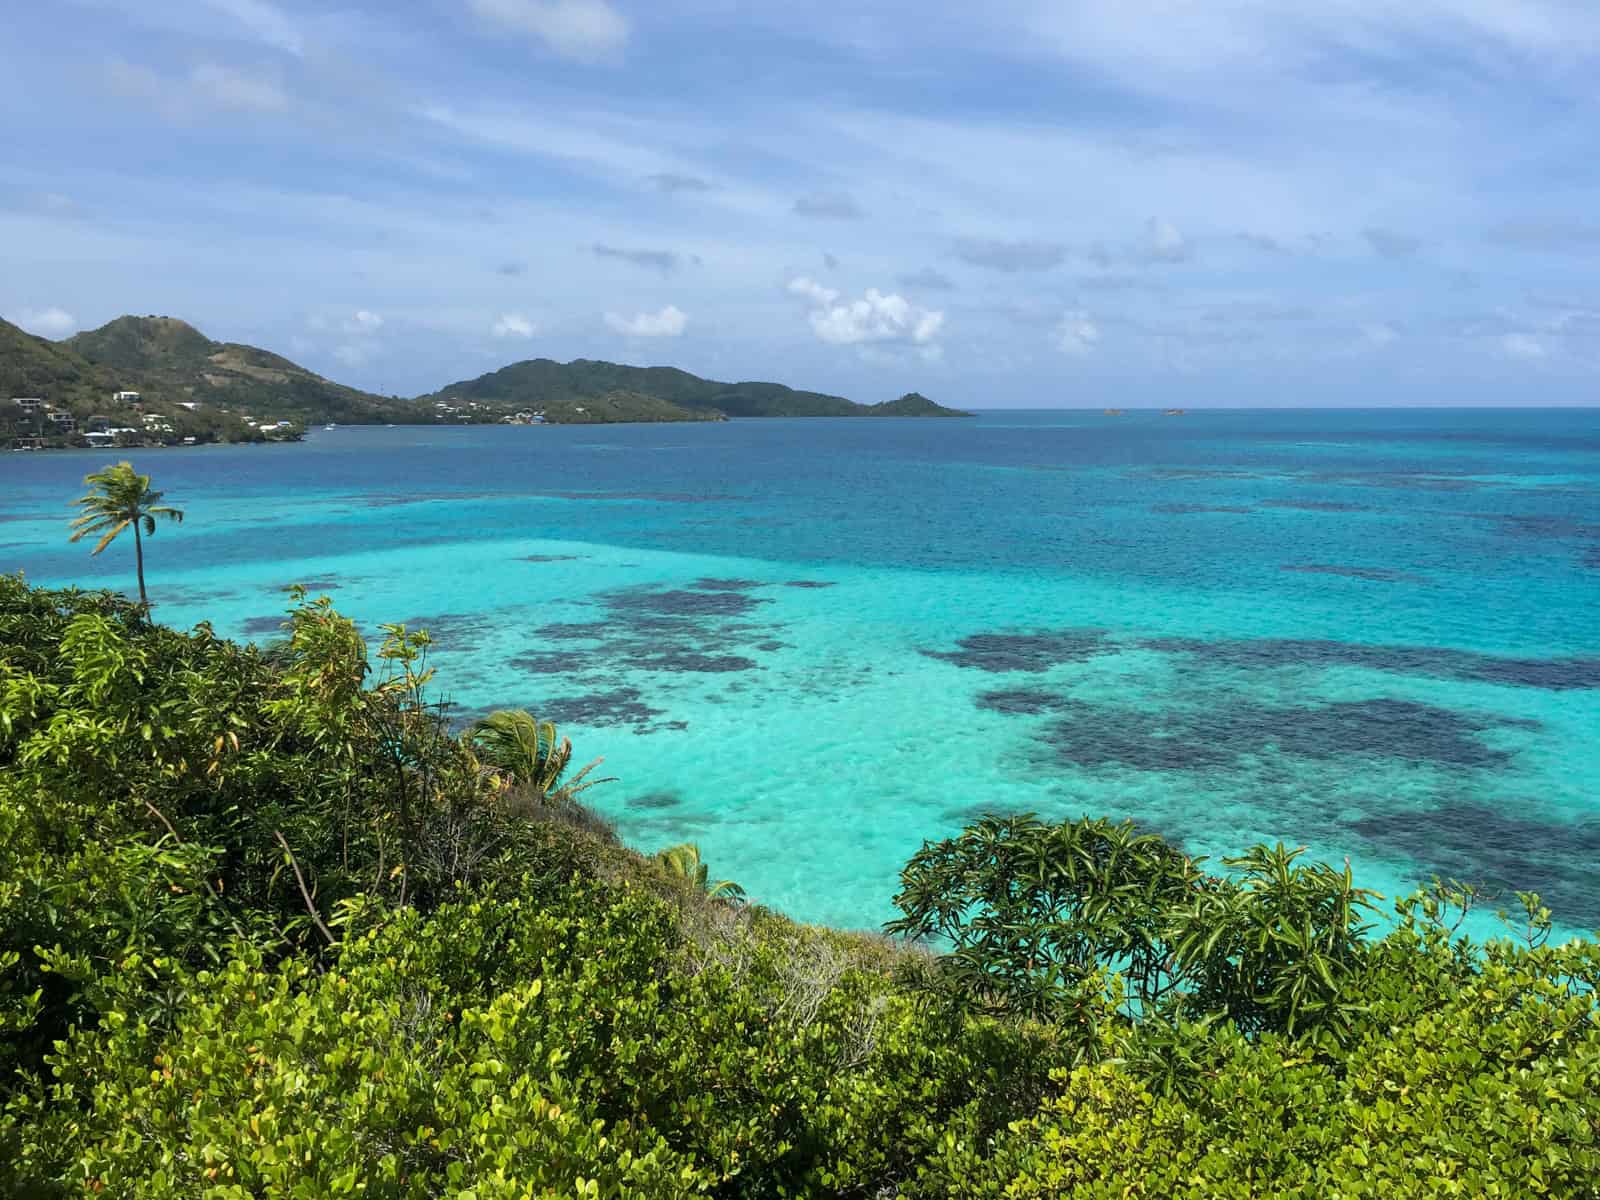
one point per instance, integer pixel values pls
(514, 1047)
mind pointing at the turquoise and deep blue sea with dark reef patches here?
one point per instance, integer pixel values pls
(810, 646)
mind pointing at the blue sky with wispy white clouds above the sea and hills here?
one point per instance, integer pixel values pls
(1015, 204)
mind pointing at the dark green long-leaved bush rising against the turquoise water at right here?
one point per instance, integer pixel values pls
(1041, 916)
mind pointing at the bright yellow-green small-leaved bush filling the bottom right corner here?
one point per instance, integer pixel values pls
(1494, 1094)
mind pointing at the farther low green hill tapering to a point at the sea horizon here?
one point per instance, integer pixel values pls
(542, 383)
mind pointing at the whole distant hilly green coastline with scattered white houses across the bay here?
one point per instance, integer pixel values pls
(142, 382)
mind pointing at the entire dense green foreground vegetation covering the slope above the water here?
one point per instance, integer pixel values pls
(270, 929)
